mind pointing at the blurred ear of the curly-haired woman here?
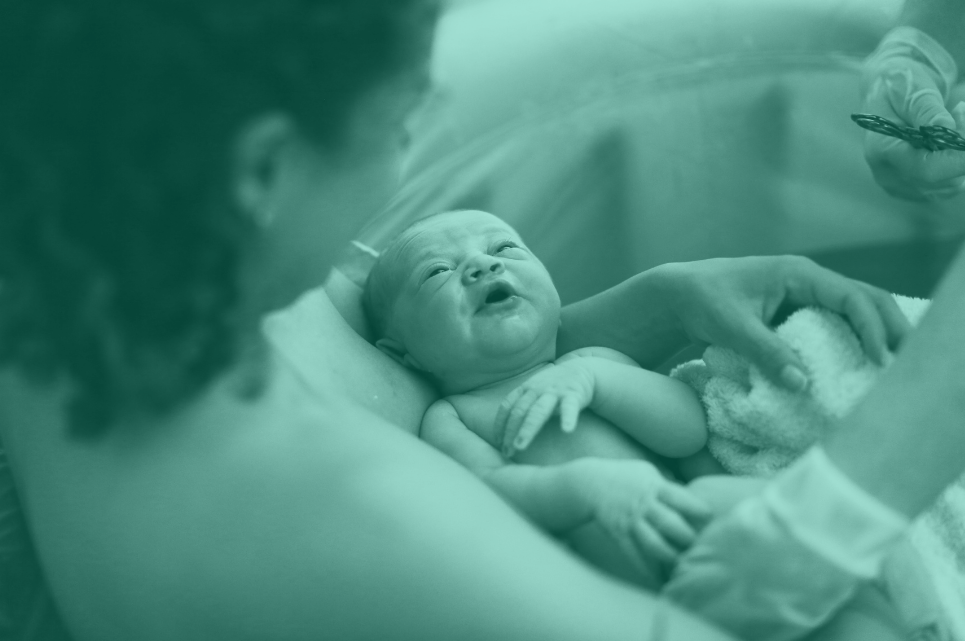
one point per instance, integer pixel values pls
(259, 153)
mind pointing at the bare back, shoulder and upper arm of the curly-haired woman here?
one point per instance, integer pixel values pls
(291, 517)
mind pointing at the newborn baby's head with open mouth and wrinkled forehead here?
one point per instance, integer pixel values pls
(460, 297)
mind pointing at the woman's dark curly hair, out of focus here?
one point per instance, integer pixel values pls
(119, 245)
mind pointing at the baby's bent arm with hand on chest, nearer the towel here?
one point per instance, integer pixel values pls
(661, 413)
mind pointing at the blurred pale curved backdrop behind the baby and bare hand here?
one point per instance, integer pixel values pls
(617, 135)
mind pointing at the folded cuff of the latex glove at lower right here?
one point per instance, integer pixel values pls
(835, 518)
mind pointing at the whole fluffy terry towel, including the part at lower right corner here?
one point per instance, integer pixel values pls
(757, 428)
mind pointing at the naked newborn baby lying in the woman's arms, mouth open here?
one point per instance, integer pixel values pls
(459, 297)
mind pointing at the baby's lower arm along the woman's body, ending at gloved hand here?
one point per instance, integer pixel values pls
(648, 517)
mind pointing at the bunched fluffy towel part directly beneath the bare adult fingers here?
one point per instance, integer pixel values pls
(757, 427)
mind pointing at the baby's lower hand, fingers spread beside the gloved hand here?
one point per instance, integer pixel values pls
(651, 519)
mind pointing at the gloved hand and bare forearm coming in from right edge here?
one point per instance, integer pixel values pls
(827, 522)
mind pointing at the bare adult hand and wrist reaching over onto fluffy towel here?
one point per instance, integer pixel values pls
(730, 302)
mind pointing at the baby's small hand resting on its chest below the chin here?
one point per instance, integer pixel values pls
(560, 389)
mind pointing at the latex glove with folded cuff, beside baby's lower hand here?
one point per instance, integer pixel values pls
(781, 563)
